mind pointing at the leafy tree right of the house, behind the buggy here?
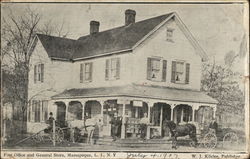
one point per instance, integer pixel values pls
(222, 84)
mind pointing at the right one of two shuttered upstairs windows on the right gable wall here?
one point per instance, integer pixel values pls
(180, 72)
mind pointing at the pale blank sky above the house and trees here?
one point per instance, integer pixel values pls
(217, 28)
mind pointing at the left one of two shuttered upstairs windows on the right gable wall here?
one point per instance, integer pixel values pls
(156, 69)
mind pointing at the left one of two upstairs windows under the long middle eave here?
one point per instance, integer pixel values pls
(86, 72)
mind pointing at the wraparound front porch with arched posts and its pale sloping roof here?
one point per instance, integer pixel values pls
(130, 103)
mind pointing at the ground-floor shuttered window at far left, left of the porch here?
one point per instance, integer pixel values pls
(38, 111)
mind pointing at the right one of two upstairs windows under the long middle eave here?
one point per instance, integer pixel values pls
(112, 69)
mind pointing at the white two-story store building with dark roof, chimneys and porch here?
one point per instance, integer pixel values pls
(151, 66)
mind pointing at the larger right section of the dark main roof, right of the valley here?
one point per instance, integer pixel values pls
(121, 38)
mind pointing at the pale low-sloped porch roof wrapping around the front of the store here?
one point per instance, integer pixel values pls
(151, 92)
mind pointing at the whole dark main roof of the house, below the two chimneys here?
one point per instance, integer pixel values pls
(115, 40)
